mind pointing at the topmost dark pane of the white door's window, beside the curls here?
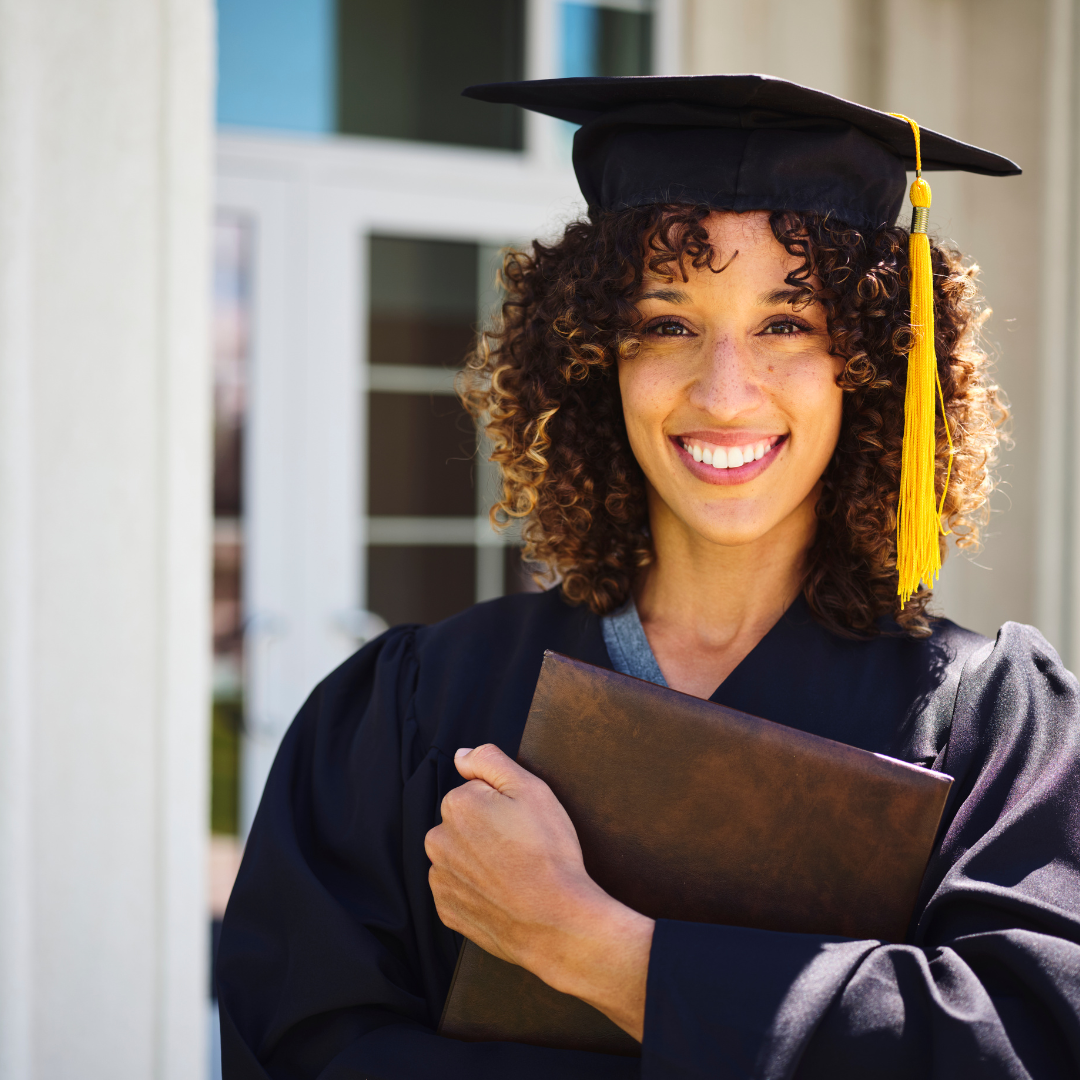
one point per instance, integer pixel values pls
(423, 301)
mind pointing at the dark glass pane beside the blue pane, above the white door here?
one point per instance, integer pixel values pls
(402, 66)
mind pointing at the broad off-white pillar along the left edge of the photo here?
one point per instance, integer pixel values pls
(105, 137)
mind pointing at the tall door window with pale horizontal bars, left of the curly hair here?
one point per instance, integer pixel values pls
(431, 551)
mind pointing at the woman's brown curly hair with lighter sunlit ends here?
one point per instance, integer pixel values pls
(544, 385)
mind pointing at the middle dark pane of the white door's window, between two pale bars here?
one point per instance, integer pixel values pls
(421, 456)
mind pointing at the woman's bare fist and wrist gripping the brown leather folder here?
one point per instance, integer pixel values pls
(507, 872)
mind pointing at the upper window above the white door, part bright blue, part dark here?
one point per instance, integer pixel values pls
(371, 67)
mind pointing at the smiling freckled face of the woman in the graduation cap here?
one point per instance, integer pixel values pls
(732, 403)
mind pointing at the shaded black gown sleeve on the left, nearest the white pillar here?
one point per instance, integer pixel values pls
(333, 963)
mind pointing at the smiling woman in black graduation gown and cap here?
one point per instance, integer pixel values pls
(697, 401)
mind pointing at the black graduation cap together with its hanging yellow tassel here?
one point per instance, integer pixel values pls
(754, 143)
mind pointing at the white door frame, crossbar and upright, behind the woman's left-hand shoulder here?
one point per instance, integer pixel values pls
(313, 205)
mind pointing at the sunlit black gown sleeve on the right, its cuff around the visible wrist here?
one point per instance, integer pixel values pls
(988, 984)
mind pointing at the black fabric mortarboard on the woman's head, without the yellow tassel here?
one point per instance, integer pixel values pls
(738, 142)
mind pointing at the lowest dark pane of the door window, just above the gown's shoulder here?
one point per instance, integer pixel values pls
(421, 585)
